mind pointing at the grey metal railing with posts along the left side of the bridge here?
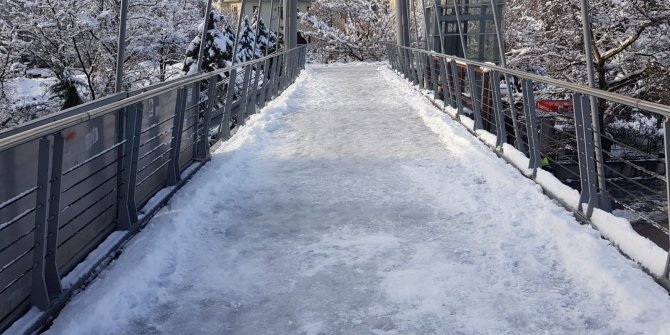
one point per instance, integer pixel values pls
(76, 185)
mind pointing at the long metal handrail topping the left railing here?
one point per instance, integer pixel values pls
(39, 131)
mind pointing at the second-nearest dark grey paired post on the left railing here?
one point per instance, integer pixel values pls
(127, 209)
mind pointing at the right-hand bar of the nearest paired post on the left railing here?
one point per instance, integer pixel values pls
(52, 277)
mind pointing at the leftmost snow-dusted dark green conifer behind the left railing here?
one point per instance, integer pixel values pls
(218, 47)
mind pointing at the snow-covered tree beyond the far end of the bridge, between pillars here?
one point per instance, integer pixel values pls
(349, 29)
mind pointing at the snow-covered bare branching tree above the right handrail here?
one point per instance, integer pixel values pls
(630, 43)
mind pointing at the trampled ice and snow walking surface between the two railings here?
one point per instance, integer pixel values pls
(351, 205)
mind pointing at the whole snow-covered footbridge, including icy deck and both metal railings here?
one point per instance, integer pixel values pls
(270, 198)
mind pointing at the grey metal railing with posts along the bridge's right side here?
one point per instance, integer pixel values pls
(615, 157)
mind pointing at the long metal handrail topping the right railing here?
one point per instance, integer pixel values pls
(615, 97)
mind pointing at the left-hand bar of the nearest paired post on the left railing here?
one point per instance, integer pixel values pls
(40, 293)
